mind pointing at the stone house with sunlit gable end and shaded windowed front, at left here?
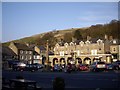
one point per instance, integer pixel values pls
(23, 52)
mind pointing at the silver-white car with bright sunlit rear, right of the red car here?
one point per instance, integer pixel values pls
(98, 66)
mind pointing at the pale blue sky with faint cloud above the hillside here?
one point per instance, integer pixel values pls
(20, 19)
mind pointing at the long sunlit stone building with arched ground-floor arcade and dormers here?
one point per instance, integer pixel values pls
(81, 52)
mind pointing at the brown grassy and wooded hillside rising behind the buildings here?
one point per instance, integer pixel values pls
(99, 30)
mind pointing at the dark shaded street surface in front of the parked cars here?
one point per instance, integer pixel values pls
(74, 80)
